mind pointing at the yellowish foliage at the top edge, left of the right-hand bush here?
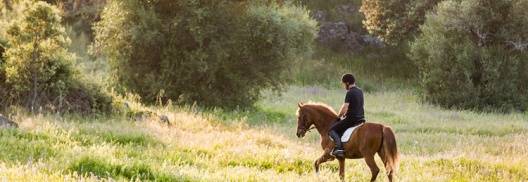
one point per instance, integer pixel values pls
(395, 21)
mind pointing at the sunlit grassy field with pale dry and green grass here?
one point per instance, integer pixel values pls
(260, 145)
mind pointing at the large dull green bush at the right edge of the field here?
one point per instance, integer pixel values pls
(470, 55)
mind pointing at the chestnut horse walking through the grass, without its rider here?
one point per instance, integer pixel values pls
(367, 140)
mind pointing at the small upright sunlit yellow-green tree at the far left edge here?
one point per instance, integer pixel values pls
(37, 65)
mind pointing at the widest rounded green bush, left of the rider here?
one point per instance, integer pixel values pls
(215, 53)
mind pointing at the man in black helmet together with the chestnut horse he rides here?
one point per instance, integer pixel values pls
(364, 141)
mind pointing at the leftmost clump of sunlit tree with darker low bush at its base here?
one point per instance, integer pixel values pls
(37, 72)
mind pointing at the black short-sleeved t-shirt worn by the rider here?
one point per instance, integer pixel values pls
(354, 98)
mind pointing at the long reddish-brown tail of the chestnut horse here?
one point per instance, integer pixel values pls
(390, 150)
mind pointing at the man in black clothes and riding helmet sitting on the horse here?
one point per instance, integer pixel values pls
(351, 113)
